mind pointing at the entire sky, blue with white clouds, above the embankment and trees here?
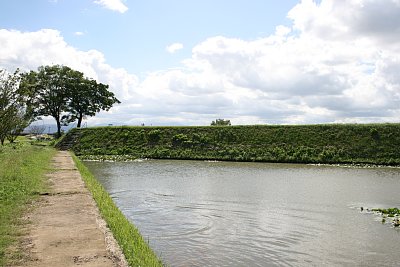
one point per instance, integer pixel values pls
(175, 62)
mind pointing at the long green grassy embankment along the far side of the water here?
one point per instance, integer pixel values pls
(338, 143)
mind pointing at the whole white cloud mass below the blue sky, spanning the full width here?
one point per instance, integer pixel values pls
(330, 65)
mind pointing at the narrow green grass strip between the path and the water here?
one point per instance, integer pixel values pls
(134, 247)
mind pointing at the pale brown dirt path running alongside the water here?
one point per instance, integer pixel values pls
(66, 227)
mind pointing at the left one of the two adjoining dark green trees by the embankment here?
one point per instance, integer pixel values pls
(48, 90)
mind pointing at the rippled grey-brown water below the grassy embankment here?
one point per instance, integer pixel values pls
(254, 214)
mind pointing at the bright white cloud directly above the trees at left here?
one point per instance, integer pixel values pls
(29, 50)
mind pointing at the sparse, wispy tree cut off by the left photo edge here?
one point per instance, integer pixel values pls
(15, 112)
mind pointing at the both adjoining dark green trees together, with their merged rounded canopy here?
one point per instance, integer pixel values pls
(65, 94)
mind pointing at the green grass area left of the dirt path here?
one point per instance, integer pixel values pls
(22, 169)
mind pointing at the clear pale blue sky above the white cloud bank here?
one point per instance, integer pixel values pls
(136, 39)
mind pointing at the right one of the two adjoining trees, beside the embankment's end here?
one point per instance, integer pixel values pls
(87, 97)
